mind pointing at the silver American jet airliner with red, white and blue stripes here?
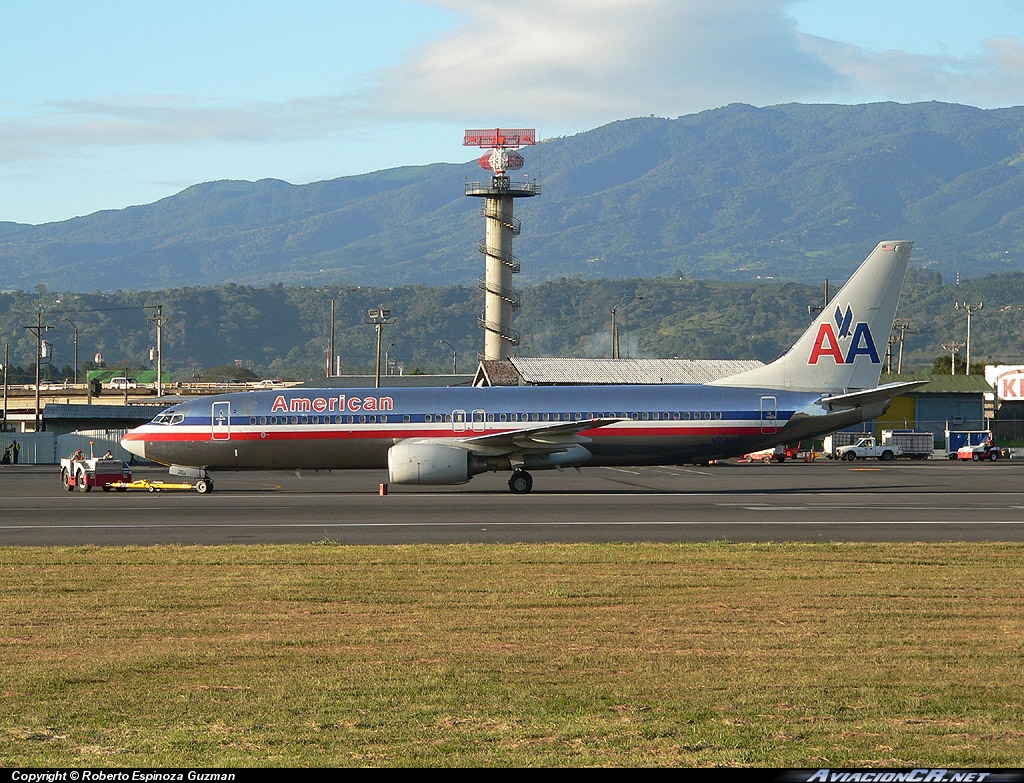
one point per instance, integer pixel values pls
(828, 381)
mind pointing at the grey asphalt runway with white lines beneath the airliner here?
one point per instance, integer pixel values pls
(795, 502)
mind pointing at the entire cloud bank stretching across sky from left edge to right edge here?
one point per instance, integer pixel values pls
(568, 64)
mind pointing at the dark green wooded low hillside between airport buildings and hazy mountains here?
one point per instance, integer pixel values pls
(281, 331)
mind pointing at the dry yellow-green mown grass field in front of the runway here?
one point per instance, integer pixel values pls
(766, 656)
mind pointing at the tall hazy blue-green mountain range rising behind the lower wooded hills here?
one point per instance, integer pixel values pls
(795, 192)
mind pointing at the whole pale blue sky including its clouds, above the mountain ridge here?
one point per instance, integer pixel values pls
(107, 105)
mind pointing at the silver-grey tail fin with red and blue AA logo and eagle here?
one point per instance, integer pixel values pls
(843, 350)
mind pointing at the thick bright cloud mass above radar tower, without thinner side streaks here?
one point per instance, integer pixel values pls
(594, 61)
